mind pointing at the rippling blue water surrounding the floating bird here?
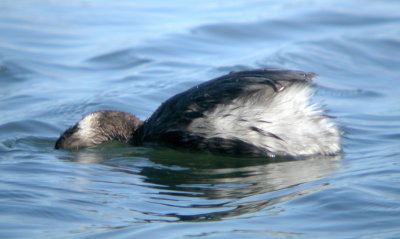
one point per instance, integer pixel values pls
(61, 60)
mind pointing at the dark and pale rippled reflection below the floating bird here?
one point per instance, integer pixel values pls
(213, 187)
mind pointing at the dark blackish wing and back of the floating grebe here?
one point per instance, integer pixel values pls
(172, 118)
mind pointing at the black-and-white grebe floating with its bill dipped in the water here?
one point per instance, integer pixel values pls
(255, 113)
